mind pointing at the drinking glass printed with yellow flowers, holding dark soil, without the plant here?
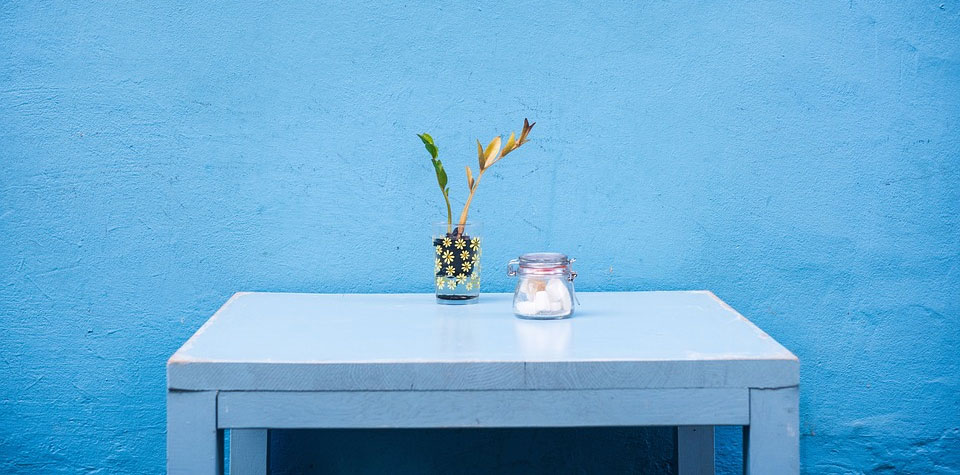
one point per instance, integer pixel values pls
(456, 264)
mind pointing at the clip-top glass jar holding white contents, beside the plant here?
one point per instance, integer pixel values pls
(545, 285)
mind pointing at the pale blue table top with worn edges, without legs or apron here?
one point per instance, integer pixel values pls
(286, 341)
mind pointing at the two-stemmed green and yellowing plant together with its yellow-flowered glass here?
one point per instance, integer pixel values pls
(457, 246)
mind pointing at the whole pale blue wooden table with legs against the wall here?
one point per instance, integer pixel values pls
(272, 360)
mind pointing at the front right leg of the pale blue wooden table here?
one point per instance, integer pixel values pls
(772, 441)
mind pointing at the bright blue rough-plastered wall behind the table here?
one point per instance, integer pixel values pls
(800, 159)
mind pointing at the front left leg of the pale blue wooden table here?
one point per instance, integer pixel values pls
(194, 445)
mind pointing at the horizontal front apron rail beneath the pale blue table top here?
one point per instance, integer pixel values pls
(512, 408)
